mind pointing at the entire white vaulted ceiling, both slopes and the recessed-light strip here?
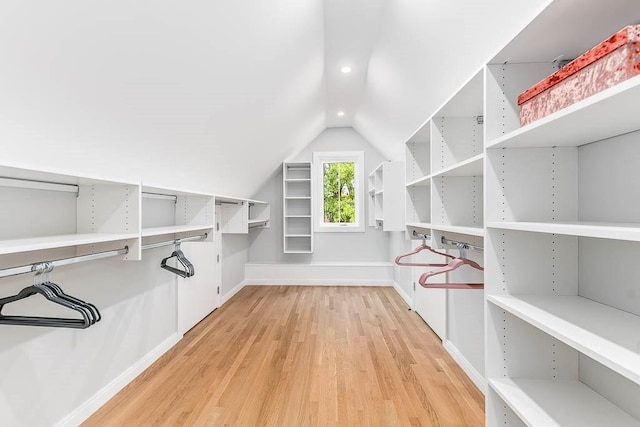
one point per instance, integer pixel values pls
(215, 94)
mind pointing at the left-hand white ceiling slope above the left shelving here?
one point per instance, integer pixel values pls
(196, 94)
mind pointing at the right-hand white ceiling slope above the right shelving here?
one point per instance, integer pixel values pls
(425, 51)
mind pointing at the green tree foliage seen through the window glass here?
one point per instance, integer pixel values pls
(339, 192)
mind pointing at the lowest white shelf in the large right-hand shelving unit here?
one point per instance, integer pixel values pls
(559, 403)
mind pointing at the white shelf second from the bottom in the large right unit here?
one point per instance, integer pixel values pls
(605, 334)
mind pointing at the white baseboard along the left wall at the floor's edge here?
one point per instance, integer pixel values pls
(90, 406)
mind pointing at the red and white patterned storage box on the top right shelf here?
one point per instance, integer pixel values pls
(609, 63)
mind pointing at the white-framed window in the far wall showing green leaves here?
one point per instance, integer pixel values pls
(338, 191)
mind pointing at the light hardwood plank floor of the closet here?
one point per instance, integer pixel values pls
(303, 356)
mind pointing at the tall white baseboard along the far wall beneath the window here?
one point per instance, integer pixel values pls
(315, 274)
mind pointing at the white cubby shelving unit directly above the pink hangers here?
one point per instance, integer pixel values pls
(445, 167)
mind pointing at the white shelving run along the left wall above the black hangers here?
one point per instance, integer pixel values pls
(66, 214)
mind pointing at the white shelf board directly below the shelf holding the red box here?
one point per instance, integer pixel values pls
(604, 230)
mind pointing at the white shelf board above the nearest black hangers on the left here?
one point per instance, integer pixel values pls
(60, 241)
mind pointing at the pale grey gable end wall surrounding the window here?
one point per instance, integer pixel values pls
(370, 246)
